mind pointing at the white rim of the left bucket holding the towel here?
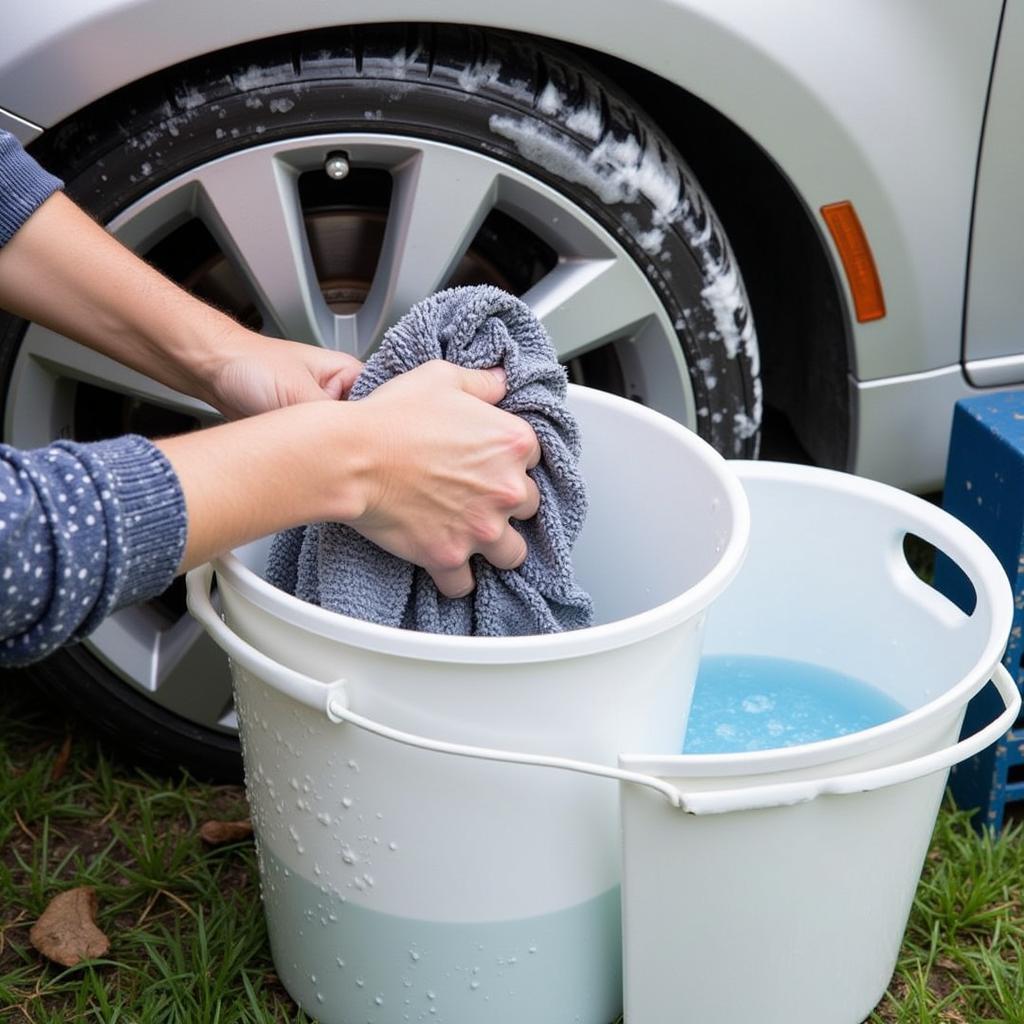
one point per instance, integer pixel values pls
(489, 651)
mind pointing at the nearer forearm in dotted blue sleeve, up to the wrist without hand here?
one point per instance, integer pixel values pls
(89, 529)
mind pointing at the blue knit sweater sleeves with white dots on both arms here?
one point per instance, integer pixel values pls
(84, 529)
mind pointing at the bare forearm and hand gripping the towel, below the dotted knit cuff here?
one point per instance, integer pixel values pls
(425, 467)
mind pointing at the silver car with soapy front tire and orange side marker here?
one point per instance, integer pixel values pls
(788, 225)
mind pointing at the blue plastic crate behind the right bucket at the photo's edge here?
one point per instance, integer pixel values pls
(986, 490)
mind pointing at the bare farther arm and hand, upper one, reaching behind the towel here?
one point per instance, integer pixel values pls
(101, 294)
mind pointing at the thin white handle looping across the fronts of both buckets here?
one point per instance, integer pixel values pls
(331, 700)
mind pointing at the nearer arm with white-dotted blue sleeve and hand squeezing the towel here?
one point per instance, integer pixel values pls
(425, 467)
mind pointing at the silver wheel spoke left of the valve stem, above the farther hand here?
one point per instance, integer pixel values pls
(250, 202)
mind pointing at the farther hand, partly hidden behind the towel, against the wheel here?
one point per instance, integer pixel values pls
(254, 374)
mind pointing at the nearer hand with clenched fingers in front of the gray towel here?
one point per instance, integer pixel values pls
(449, 473)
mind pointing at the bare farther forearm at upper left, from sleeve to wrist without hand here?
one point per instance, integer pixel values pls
(63, 271)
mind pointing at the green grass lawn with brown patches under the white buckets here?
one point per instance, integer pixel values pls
(188, 941)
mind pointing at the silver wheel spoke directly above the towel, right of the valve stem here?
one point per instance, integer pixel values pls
(441, 198)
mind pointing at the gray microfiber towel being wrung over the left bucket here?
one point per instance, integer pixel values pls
(332, 566)
